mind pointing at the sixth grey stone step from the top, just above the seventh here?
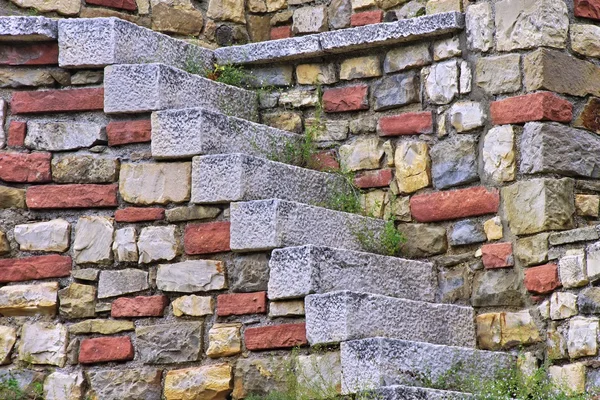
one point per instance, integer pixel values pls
(299, 271)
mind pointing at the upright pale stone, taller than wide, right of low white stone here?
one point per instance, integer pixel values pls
(93, 240)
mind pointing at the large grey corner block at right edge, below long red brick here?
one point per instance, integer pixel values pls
(558, 149)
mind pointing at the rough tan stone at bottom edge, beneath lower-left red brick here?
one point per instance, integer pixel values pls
(125, 384)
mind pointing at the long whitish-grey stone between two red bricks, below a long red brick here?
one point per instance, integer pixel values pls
(63, 135)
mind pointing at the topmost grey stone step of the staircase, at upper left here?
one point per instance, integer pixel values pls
(98, 42)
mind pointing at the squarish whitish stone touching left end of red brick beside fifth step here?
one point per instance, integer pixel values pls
(157, 243)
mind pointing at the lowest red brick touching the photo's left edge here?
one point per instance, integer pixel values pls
(30, 268)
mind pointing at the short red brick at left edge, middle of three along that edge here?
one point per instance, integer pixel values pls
(25, 167)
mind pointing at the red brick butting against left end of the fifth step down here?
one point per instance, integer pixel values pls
(212, 237)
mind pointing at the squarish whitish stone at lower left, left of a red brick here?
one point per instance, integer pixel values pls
(43, 343)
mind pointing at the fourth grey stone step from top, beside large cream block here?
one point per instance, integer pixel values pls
(224, 178)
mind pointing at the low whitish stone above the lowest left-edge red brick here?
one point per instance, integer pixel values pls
(44, 236)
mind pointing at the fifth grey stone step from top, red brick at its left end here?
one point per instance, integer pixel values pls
(269, 224)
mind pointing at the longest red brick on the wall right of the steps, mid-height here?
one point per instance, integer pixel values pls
(444, 206)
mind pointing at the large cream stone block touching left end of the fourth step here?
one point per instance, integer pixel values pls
(159, 183)
